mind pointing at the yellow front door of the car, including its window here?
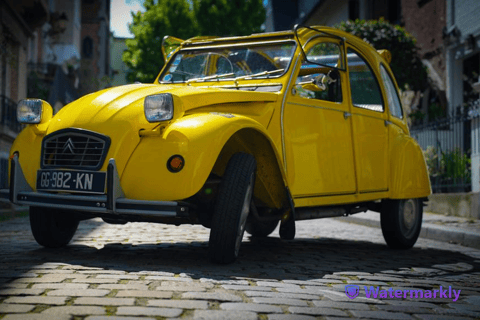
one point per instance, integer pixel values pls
(316, 127)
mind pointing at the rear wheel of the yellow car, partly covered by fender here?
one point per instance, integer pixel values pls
(401, 222)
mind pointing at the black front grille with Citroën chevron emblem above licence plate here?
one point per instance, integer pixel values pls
(74, 148)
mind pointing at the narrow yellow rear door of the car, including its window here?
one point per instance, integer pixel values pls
(370, 124)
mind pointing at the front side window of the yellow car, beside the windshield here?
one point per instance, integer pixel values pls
(320, 82)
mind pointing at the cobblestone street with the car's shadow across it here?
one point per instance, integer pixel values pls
(150, 271)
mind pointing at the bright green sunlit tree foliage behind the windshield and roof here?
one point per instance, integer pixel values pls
(184, 19)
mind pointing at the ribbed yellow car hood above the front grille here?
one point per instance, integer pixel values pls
(125, 104)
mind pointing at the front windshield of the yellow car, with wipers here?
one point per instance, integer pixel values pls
(229, 62)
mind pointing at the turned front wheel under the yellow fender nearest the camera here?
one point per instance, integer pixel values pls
(232, 207)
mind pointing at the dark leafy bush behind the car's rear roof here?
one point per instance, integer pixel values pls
(406, 64)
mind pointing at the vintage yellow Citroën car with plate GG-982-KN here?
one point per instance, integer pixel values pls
(236, 134)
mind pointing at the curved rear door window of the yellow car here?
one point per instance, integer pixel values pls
(364, 87)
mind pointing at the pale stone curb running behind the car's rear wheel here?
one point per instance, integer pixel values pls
(430, 231)
